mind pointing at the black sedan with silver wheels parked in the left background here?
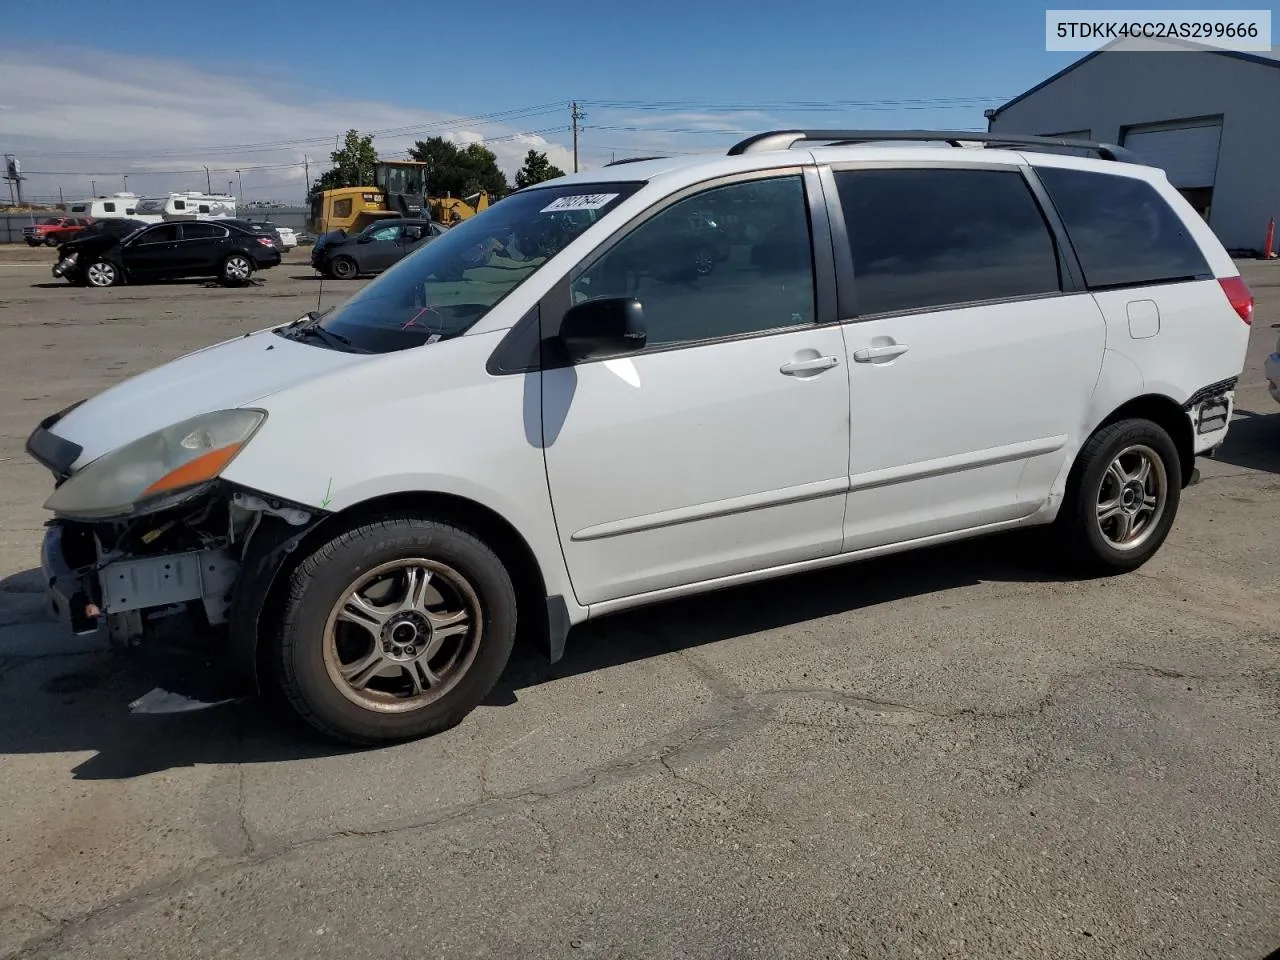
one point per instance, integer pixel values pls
(168, 252)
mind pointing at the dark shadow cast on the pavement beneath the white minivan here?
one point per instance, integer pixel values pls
(76, 700)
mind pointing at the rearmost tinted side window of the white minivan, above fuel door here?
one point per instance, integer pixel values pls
(1123, 231)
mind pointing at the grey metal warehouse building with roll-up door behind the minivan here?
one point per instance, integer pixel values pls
(1210, 118)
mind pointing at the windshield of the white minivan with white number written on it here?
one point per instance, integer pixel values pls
(445, 287)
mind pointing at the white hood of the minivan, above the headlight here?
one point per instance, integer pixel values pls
(230, 374)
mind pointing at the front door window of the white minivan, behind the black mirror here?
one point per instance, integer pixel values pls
(729, 262)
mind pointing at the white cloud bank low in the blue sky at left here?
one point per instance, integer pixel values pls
(84, 115)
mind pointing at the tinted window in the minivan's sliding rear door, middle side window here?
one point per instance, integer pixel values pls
(932, 239)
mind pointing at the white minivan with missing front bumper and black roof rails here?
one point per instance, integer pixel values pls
(653, 380)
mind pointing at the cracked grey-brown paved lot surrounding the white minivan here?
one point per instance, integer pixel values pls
(945, 755)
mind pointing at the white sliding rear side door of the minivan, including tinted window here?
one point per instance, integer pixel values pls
(973, 355)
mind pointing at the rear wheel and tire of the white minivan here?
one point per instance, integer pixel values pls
(1122, 499)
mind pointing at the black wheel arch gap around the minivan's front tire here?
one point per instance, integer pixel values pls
(277, 548)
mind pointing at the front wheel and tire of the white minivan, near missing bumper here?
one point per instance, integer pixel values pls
(395, 630)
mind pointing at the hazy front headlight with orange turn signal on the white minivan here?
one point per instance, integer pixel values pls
(157, 470)
